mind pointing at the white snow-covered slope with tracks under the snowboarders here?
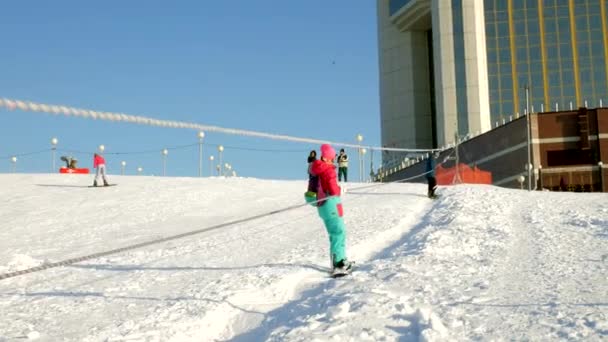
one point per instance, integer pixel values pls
(479, 263)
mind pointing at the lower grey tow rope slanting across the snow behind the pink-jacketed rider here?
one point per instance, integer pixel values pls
(71, 261)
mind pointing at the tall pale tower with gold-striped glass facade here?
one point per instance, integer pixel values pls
(450, 68)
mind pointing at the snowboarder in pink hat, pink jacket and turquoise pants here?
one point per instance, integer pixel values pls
(330, 210)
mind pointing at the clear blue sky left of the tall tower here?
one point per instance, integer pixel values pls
(300, 68)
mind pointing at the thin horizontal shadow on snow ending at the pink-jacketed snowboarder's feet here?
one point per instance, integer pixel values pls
(128, 268)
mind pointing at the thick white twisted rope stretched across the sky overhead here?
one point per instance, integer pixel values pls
(12, 104)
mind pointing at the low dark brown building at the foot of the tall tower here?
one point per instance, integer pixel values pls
(567, 152)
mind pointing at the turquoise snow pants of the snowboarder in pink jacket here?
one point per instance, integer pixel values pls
(331, 213)
